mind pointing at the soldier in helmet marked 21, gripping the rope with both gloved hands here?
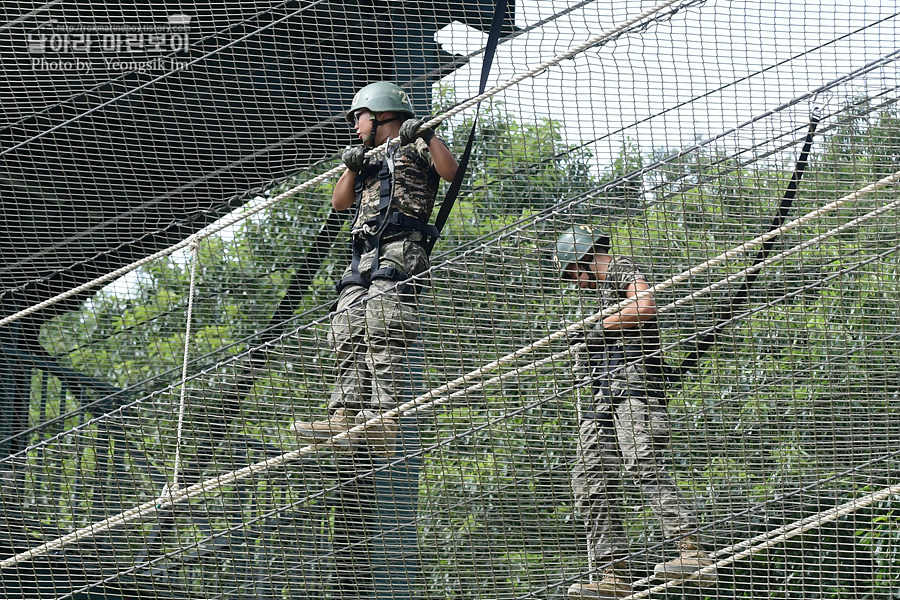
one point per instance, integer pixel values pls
(375, 318)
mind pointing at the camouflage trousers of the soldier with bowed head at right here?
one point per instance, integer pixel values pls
(626, 432)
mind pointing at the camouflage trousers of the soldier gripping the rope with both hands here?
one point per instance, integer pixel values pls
(371, 332)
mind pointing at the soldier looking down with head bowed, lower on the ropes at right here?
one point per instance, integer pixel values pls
(624, 424)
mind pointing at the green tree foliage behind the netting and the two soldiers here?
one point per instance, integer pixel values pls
(799, 389)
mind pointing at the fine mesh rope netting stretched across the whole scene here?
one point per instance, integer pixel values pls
(149, 451)
